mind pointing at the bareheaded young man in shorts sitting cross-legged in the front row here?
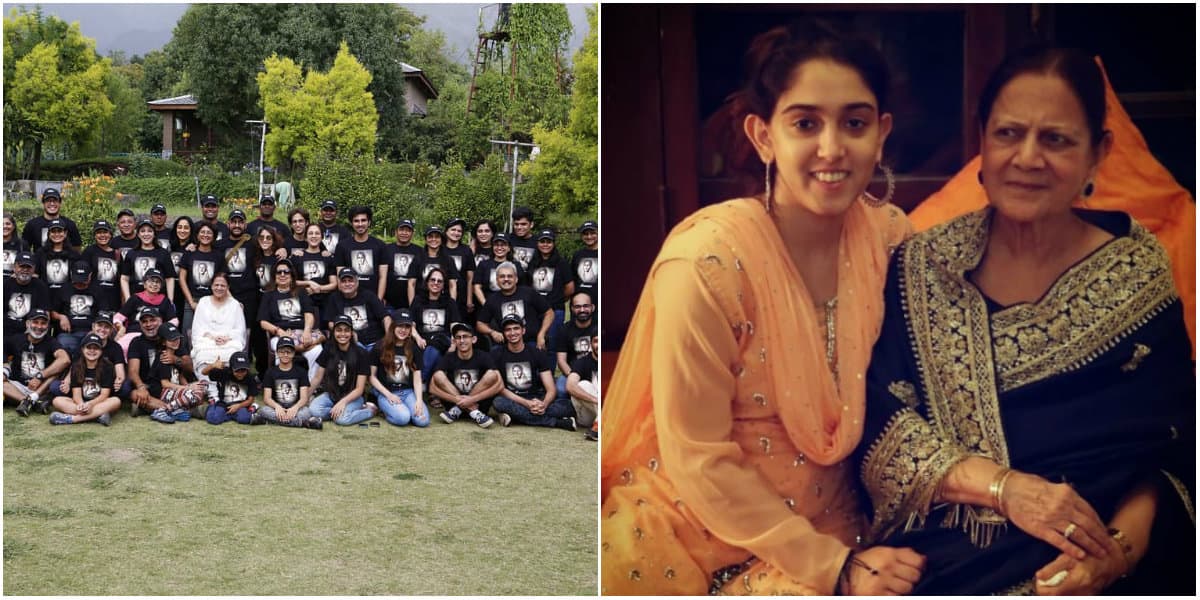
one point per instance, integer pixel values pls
(466, 380)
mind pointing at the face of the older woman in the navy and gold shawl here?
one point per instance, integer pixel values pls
(1037, 151)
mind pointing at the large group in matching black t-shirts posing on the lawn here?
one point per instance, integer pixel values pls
(337, 323)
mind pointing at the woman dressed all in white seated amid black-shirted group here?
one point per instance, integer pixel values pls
(219, 328)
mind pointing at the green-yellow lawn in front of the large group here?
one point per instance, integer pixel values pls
(193, 509)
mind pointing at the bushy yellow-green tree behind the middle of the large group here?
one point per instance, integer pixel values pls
(321, 115)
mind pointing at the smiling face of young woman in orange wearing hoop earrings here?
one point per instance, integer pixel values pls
(826, 136)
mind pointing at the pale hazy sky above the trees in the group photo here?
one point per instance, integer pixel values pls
(141, 28)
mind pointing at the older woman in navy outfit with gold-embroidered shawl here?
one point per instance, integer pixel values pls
(1034, 369)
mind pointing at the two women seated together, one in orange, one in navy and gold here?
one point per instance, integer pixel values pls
(814, 400)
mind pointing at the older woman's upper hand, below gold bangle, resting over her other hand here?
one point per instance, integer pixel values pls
(1055, 514)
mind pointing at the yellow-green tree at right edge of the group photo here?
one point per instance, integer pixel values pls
(567, 167)
